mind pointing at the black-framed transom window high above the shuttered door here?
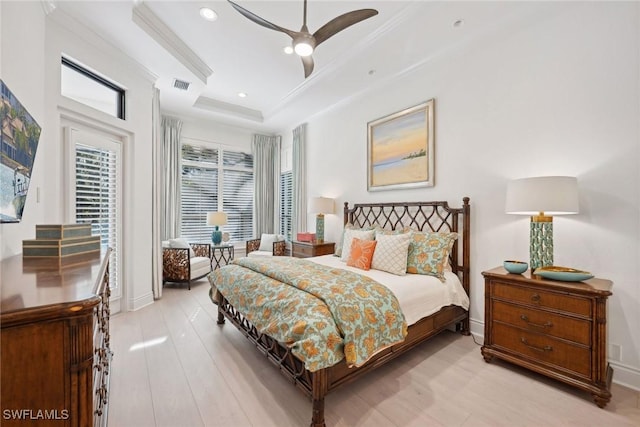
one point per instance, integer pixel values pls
(88, 88)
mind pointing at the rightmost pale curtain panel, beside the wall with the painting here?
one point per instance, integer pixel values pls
(299, 169)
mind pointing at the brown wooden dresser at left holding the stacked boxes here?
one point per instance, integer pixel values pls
(55, 341)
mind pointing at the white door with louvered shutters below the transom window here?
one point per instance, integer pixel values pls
(97, 189)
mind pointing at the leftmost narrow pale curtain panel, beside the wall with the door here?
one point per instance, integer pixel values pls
(156, 208)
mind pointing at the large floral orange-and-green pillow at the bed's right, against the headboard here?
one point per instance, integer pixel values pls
(429, 253)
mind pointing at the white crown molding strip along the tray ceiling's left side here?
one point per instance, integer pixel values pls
(151, 24)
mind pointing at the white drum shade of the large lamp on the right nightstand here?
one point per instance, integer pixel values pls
(552, 195)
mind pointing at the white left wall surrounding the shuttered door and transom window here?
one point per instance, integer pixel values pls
(35, 79)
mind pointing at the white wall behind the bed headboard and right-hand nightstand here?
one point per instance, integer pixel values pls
(558, 96)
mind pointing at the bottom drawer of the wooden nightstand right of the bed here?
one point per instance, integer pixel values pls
(543, 349)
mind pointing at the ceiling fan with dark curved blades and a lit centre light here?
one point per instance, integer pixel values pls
(303, 41)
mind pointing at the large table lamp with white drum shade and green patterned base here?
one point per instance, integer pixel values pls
(542, 197)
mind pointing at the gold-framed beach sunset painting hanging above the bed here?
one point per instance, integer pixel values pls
(400, 149)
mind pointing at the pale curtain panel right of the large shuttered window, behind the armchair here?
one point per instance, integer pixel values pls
(266, 176)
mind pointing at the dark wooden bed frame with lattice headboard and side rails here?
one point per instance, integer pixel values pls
(427, 216)
